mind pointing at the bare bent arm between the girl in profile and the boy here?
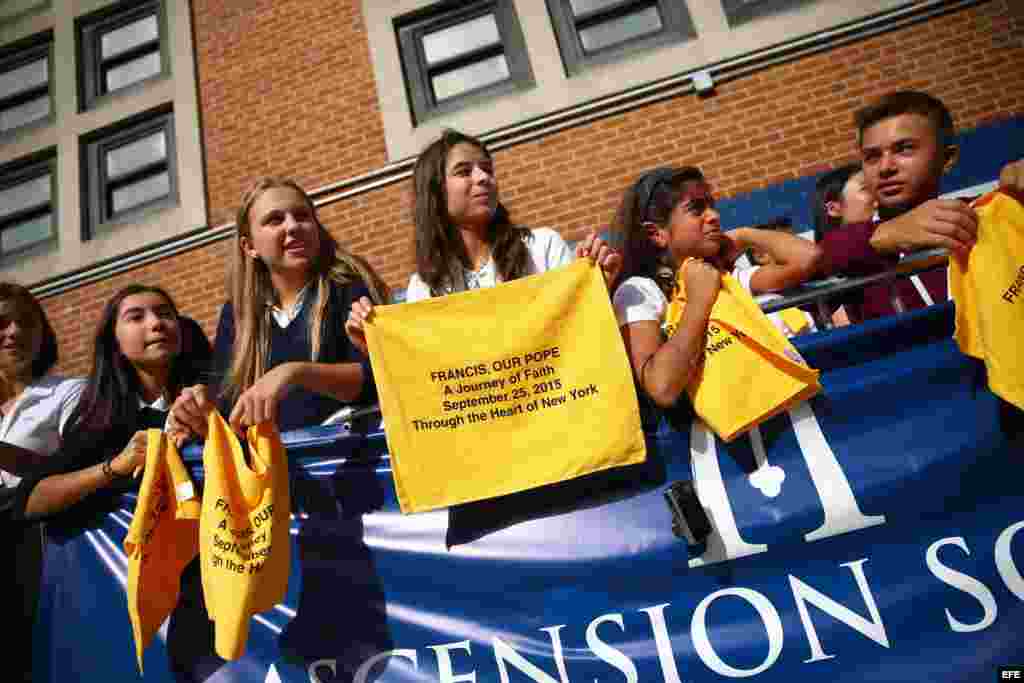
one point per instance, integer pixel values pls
(795, 260)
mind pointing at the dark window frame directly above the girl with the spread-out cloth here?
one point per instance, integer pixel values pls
(410, 30)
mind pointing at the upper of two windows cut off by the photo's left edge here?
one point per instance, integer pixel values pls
(25, 84)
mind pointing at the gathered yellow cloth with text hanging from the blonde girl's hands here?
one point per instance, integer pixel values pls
(245, 544)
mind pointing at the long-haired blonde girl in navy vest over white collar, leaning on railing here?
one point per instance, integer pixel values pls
(280, 354)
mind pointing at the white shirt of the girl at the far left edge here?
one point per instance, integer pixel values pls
(38, 417)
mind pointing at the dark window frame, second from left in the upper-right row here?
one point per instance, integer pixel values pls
(677, 27)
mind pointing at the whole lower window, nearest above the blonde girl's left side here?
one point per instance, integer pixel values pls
(129, 168)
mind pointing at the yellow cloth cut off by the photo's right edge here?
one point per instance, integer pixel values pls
(989, 289)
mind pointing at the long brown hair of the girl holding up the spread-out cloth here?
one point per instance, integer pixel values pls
(441, 254)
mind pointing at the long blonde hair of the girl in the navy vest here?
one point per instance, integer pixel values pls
(252, 291)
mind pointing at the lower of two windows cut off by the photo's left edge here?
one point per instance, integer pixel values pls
(27, 216)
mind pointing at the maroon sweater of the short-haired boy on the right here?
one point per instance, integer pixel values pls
(848, 252)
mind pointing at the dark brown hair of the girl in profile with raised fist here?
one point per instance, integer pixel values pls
(652, 200)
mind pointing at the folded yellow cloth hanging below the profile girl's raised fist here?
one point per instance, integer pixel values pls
(750, 372)
